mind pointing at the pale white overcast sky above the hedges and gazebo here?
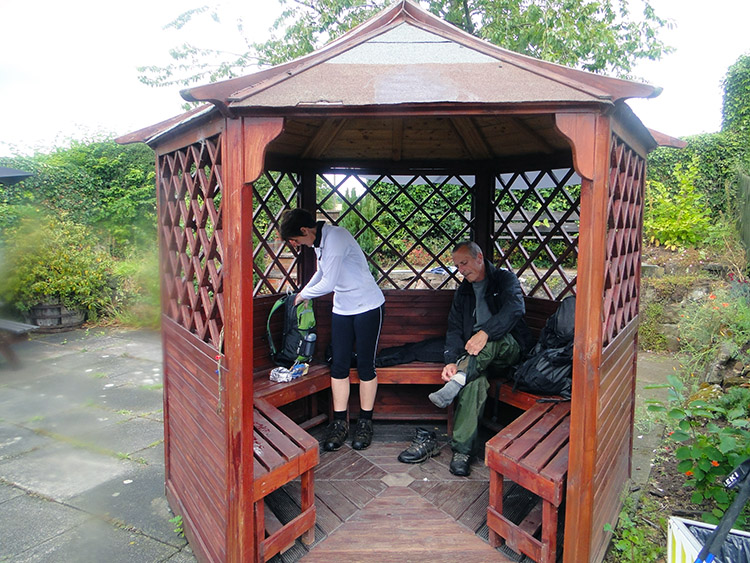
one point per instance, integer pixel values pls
(68, 69)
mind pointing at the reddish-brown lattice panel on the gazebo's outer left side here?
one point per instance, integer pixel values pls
(190, 225)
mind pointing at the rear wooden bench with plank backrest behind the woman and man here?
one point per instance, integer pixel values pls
(410, 316)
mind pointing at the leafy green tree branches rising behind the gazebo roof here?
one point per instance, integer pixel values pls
(596, 35)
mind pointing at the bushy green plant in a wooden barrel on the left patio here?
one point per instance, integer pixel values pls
(55, 273)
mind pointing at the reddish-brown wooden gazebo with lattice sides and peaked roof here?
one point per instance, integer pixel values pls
(418, 135)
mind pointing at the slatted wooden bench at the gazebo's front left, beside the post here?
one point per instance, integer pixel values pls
(282, 451)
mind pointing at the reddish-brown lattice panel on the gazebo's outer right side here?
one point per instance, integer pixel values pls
(623, 245)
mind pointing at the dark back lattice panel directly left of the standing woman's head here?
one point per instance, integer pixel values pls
(274, 263)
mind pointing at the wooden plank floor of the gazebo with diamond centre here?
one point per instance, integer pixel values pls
(371, 507)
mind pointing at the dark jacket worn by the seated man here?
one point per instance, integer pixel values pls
(505, 301)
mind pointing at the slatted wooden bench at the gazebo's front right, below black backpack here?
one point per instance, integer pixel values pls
(532, 451)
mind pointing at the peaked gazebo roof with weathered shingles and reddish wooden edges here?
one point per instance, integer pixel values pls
(405, 56)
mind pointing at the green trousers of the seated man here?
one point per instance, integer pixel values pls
(497, 354)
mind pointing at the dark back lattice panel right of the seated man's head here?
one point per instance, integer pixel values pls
(536, 218)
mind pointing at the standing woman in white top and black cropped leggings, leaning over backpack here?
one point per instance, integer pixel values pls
(357, 317)
